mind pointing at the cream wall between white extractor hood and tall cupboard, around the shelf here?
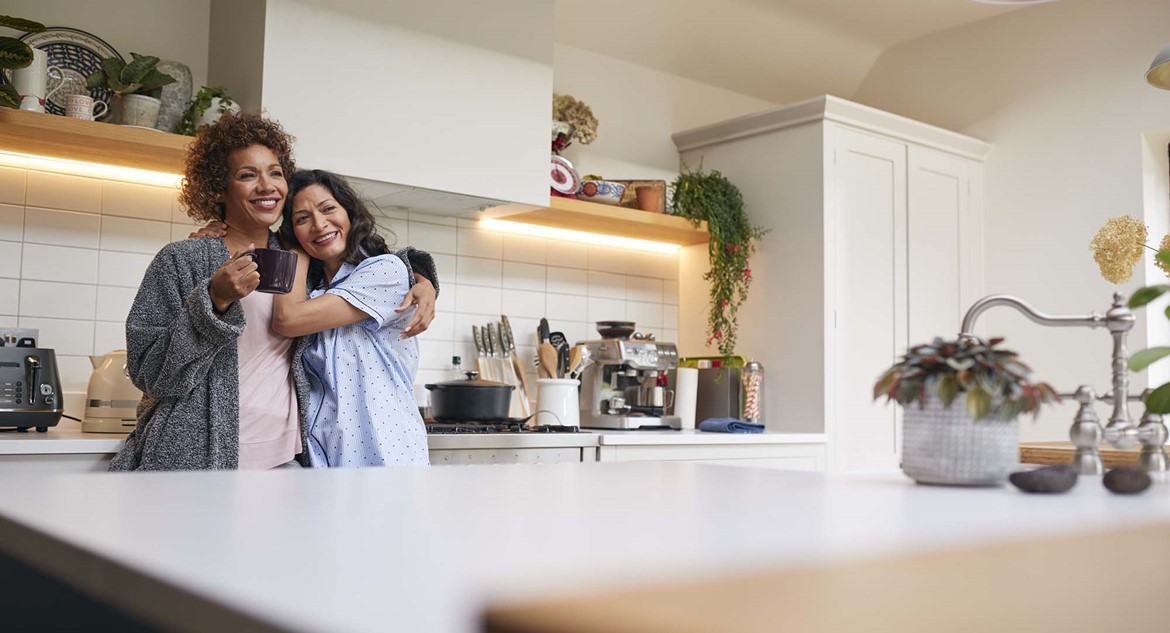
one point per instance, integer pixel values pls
(638, 109)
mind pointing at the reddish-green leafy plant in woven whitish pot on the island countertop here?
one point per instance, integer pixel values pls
(961, 401)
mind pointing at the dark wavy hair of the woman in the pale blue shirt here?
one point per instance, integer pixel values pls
(363, 240)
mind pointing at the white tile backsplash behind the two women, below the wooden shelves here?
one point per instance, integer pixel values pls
(73, 256)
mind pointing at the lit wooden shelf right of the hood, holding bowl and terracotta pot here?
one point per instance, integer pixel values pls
(612, 221)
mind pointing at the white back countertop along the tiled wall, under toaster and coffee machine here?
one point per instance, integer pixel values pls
(73, 442)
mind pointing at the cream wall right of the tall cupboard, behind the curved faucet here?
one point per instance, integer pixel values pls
(1059, 91)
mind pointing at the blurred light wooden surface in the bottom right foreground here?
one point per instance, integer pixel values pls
(1043, 584)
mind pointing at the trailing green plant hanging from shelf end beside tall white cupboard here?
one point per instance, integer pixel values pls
(710, 197)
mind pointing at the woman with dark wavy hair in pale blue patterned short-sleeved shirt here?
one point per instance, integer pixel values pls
(348, 295)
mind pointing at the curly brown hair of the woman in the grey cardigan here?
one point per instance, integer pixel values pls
(205, 171)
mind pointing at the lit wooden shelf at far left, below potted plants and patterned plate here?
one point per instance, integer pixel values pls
(64, 137)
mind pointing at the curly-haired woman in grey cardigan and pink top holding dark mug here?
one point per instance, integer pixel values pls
(221, 389)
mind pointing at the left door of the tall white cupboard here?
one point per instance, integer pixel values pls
(871, 297)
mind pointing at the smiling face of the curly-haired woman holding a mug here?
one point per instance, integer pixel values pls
(256, 189)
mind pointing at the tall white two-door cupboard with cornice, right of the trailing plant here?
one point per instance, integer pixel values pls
(876, 245)
